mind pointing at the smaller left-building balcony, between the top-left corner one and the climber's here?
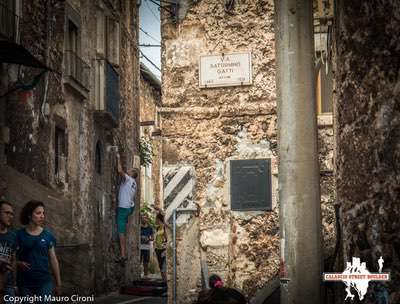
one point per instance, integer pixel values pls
(76, 73)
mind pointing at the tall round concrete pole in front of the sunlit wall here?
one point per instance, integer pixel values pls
(300, 212)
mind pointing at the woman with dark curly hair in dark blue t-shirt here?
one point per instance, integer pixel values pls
(35, 254)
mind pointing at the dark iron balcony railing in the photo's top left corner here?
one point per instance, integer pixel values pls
(9, 23)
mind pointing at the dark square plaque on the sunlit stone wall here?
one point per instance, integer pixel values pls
(251, 185)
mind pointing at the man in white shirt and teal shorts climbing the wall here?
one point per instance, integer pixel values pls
(126, 204)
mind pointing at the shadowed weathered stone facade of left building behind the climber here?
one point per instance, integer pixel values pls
(60, 132)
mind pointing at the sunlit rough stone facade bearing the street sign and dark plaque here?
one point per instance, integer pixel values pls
(207, 128)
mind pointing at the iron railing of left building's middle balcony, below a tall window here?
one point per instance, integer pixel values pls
(76, 68)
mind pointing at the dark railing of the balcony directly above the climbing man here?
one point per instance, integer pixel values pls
(112, 91)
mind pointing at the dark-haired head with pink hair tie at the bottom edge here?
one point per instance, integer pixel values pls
(217, 294)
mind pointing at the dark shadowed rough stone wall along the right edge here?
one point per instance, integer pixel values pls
(368, 124)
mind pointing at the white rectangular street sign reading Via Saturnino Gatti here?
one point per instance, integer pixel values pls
(225, 70)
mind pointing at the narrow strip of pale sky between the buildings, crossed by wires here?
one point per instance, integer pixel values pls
(149, 19)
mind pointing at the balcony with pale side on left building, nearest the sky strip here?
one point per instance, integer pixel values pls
(107, 95)
